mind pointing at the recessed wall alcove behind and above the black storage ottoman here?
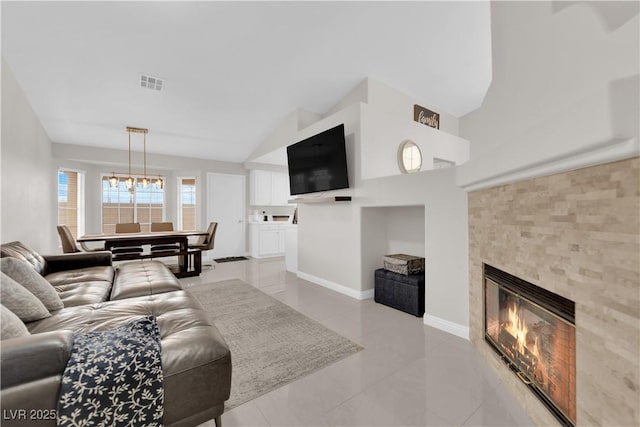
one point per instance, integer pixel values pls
(387, 230)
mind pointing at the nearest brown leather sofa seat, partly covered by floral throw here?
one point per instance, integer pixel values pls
(194, 354)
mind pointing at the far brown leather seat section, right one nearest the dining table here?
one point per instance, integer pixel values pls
(136, 279)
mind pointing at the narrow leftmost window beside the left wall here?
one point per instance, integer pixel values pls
(70, 201)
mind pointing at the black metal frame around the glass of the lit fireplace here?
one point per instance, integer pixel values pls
(553, 303)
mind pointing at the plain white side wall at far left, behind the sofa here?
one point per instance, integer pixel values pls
(29, 182)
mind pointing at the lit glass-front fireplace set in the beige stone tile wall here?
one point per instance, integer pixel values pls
(533, 330)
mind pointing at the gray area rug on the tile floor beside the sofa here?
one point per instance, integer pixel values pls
(271, 343)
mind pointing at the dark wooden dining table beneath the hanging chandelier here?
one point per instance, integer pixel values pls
(181, 237)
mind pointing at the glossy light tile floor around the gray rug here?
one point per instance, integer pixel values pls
(408, 374)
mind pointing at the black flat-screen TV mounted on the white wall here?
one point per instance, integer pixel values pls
(318, 163)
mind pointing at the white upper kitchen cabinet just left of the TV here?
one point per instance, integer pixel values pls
(267, 188)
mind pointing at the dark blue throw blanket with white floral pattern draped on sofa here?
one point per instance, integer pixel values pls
(114, 377)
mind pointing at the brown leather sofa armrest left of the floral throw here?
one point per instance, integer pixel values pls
(34, 357)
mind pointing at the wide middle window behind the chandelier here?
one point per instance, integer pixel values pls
(119, 204)
